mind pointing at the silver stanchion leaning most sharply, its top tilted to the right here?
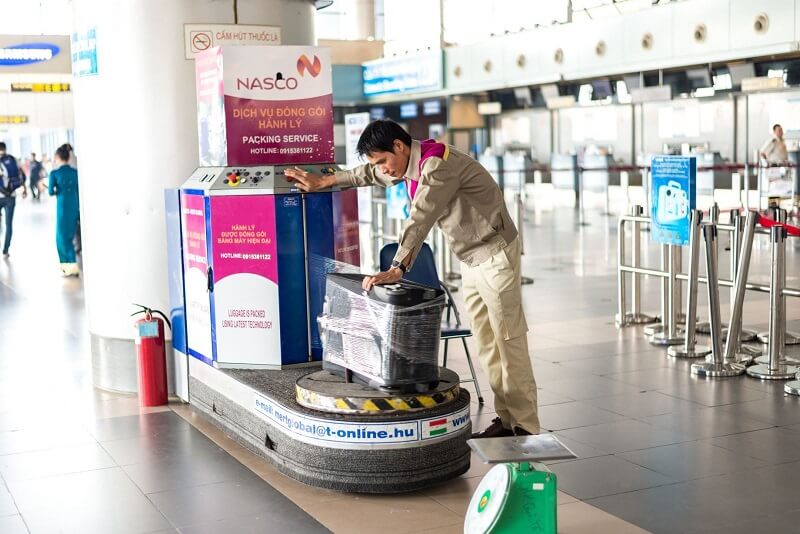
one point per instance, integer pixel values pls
(734, 351)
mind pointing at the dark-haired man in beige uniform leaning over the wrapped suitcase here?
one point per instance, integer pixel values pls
(455, 191)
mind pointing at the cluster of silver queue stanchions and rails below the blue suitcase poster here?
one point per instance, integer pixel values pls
(730, 358)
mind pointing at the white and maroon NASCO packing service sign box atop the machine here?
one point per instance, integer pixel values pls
(265, 105)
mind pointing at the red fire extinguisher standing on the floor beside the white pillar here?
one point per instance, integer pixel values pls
(151, 357)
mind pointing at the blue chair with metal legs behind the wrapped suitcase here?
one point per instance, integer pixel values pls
(424, 272)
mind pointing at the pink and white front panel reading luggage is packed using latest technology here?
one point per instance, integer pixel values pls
(246, 298)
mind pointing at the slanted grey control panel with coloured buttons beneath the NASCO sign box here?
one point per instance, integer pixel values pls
(261, 179)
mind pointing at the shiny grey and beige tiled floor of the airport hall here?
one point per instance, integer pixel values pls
(658, 449)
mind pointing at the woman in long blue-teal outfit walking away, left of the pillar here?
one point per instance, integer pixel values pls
(64, 186)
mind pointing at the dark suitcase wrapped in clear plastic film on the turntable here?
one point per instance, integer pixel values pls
(387, 338)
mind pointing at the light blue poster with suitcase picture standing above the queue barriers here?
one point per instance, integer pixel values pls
(674, 195)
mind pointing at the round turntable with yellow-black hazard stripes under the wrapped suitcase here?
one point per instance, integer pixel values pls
(328, 392)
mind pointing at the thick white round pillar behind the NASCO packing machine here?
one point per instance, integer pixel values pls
(136, 134)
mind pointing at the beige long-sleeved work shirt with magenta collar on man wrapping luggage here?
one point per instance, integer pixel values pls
(454, 191)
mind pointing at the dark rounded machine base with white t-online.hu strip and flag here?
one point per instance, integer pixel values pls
(381, 453)
